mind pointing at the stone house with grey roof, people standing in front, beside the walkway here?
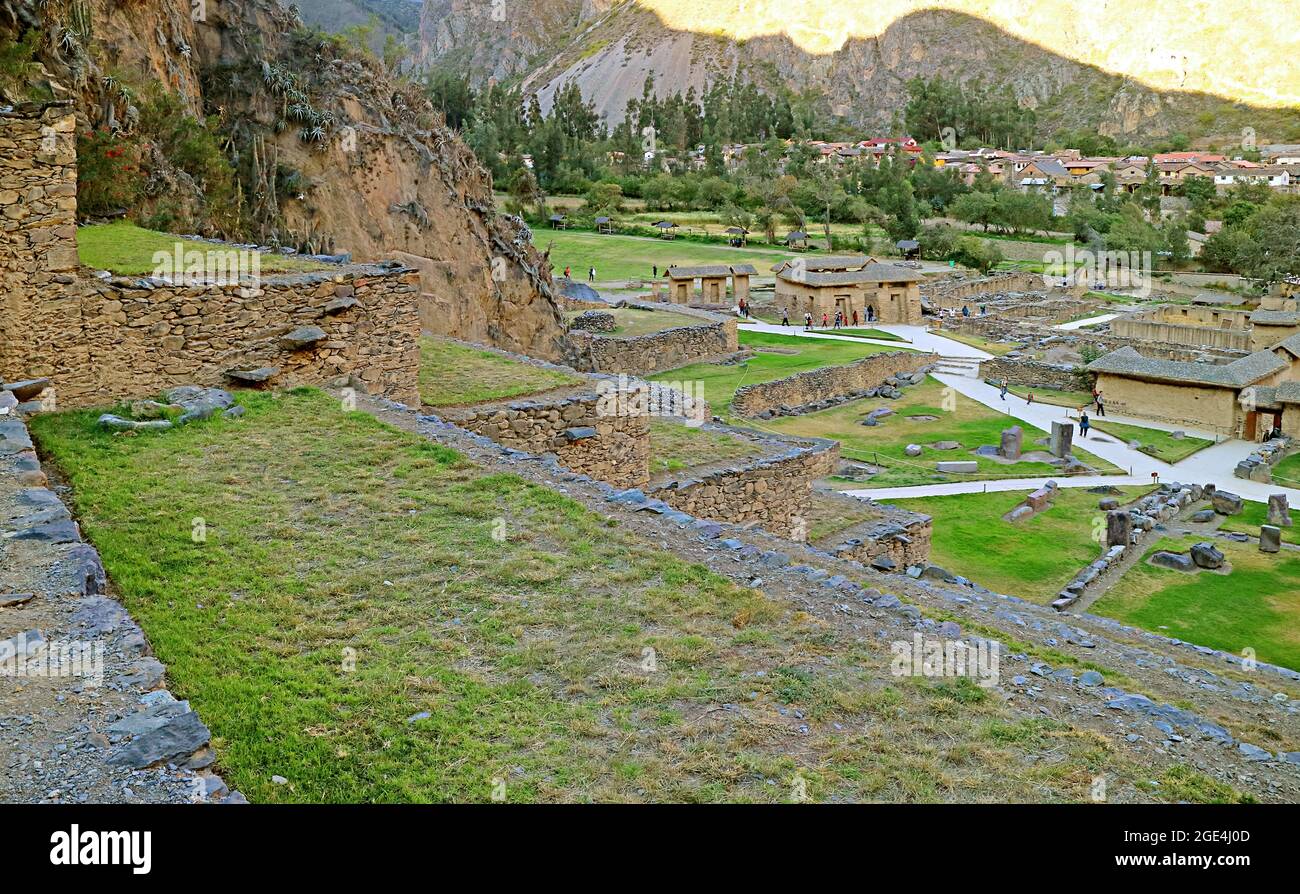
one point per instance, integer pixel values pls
(881, 293)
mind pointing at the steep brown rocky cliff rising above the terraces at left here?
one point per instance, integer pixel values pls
(333, 155)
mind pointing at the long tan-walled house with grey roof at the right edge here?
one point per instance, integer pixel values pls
(1236, 400)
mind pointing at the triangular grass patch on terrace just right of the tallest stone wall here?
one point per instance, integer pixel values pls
(456, 375)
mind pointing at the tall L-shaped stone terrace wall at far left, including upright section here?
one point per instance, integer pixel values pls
(103, 340)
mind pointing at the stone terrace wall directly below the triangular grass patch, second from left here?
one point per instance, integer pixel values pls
(613, 448)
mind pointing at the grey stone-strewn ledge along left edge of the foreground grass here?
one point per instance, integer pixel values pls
(85, 669)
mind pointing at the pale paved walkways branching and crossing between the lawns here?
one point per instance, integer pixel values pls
(1211, 466)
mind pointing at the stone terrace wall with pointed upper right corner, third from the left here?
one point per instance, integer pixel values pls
(775, 492)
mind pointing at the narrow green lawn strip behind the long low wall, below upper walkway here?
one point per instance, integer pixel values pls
(798, 355)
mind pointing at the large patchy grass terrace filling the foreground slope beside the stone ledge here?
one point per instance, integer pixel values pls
(331, 532)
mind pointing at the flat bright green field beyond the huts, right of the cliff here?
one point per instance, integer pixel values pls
(632, 258)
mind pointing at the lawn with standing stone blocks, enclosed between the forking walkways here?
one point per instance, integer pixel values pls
(969, 423)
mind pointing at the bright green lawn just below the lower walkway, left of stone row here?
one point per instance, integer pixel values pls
(1032, 559)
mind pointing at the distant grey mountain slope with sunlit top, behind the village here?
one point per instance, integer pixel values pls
(1154, 76)
